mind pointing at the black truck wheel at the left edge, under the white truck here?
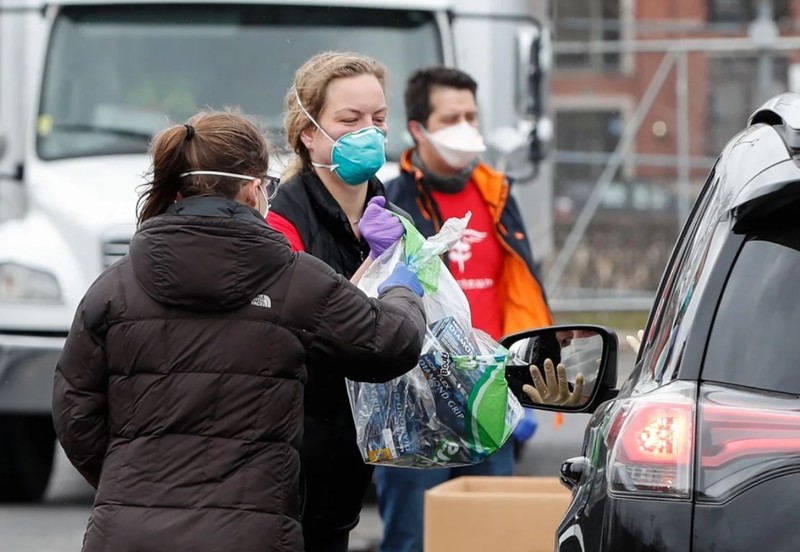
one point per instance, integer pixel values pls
(27, 446)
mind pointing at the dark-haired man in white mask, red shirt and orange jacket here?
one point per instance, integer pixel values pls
(442, 177)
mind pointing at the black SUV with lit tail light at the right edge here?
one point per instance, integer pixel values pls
(699, 450)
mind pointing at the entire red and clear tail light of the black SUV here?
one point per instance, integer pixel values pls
(663, 445)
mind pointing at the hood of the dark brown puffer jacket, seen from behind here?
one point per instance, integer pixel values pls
(207, 254)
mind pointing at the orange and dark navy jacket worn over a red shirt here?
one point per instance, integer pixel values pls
(520, 289)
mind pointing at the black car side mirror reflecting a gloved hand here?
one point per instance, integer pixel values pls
(581, 372)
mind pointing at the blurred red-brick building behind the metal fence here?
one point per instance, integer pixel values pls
(730, 56)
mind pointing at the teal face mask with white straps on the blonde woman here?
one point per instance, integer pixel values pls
(356, 156)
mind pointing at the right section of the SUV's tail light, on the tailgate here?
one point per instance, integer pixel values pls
(743, 436)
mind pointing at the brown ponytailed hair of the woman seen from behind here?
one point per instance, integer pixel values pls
(226, 141)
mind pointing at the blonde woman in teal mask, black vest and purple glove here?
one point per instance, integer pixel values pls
(336, 124)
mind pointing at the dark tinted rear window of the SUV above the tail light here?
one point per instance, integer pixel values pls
(755, 339)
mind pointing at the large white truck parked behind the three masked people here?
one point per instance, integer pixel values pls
(84, 85)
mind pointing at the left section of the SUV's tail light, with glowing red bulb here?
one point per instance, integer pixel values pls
(651, 443)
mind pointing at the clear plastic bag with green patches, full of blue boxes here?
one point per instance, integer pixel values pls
(454, 408)
